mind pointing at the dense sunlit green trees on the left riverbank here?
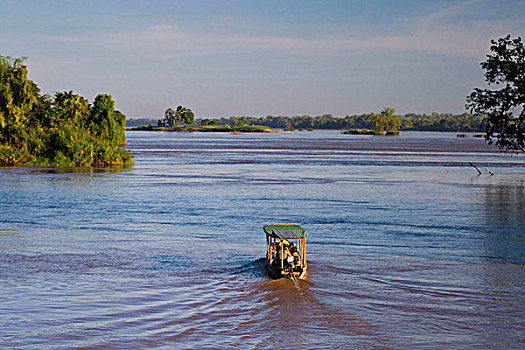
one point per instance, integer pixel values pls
(60, 131)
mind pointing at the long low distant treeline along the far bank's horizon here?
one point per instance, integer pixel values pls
(411, 121)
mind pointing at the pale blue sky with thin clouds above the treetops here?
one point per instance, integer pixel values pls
(258, 58)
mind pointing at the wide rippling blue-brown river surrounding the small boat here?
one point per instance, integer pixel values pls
(408, 247)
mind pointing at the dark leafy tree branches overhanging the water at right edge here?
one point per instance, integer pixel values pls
(504, 67)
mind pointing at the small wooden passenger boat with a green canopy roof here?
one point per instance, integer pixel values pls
(286, 250)
